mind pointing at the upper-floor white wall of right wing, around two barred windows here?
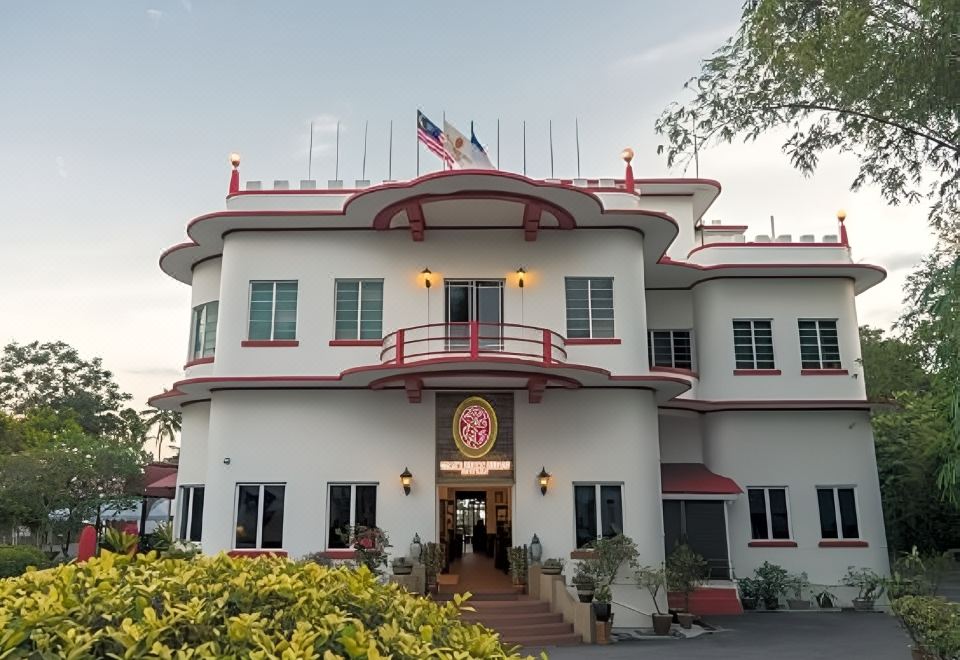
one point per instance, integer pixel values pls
(718, 302)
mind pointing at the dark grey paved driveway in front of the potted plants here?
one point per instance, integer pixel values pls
(773, 636)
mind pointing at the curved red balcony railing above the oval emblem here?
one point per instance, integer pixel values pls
(473, 341)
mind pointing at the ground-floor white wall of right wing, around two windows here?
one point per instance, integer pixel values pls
(799, 450)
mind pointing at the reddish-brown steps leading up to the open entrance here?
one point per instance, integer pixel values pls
(521, 621)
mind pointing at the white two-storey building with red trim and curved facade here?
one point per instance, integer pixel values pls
(673, 378)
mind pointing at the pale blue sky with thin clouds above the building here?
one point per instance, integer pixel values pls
(117, 117)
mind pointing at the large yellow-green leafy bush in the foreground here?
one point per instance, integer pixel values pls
(145, 607)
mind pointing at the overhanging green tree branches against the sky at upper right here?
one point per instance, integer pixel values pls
(874, 78)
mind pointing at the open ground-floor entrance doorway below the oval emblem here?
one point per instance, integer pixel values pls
(475, 527)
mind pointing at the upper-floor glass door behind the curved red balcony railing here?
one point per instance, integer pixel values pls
(474, 300)
